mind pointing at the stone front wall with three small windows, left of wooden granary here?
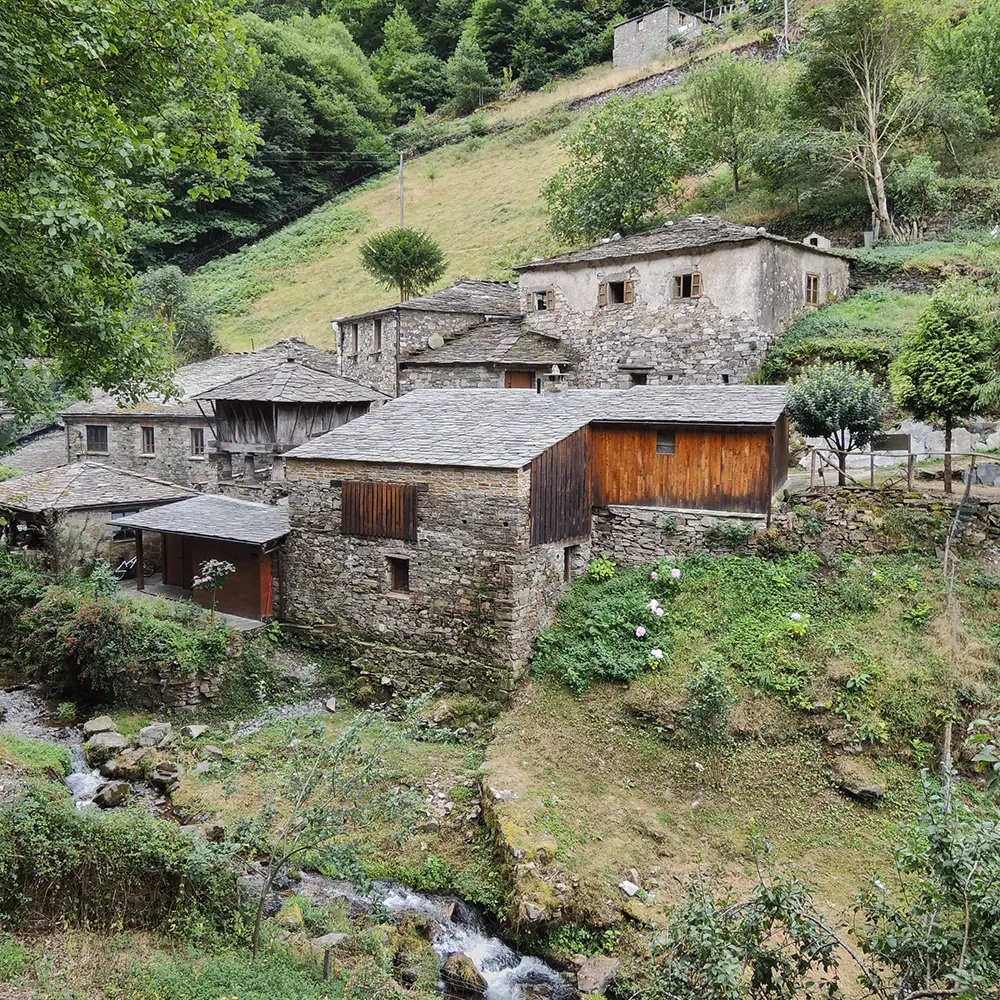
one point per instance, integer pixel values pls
(171, 460)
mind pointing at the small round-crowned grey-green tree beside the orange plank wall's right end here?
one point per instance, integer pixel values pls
(839, 403)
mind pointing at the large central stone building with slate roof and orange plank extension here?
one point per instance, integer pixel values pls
(437, 533)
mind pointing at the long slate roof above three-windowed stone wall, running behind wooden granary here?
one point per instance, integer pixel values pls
(194, 380)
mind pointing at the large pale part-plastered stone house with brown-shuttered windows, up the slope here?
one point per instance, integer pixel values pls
(696, 301)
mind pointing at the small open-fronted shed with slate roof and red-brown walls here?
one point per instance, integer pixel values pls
(247, 535)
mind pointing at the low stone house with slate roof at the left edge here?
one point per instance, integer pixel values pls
(74, 514)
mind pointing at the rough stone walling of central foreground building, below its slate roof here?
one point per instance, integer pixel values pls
(478, 591)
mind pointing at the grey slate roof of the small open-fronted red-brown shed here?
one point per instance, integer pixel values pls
(210, 515)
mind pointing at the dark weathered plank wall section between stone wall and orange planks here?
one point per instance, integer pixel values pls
(560, 491)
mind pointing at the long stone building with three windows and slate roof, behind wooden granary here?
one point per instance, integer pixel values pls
(172, 439)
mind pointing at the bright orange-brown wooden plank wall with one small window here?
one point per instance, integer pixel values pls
(713, 468)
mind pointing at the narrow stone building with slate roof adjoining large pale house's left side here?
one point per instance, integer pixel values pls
(371, 345)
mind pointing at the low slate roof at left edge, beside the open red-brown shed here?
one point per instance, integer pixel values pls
(85, 484)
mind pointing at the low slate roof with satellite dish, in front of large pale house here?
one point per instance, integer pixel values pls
(501, 343)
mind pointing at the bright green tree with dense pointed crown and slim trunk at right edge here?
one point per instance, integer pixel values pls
(946, 361)
